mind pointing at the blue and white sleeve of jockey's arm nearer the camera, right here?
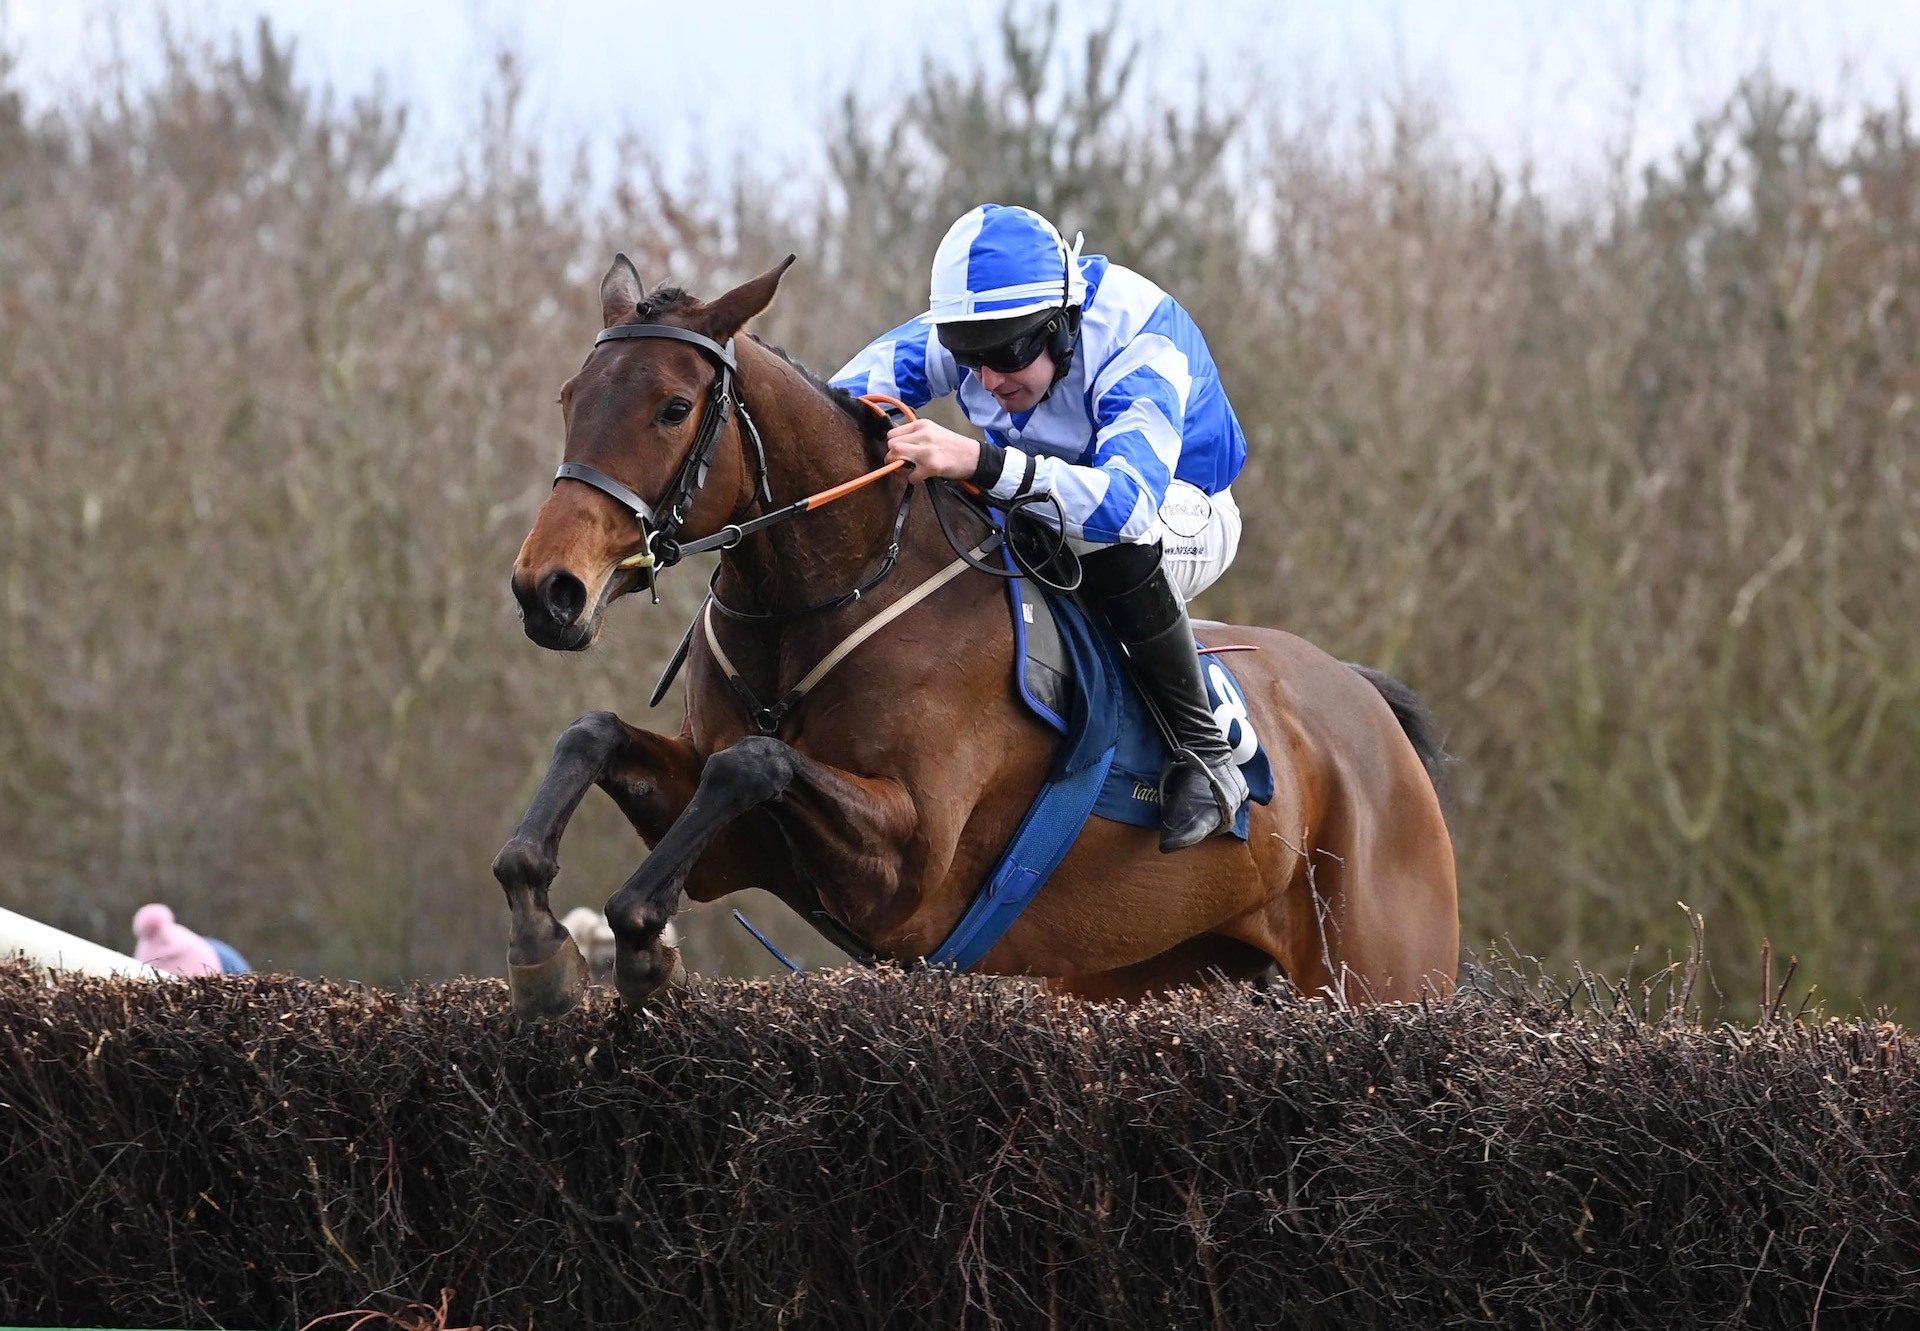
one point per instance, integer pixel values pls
(1140, 410)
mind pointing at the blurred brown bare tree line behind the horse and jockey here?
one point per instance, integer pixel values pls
(1625, 487)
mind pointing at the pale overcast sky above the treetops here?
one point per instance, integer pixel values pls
(1554, 82)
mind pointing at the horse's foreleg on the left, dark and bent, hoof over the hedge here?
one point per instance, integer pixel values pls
(544, 969)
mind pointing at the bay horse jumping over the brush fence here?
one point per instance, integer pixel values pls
(882, 800)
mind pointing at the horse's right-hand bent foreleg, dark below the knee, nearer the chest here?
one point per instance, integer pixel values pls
(859, 825)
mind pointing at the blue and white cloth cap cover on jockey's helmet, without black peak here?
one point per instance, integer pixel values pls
(1001, 262)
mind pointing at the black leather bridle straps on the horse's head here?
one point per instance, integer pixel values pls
(663, 533)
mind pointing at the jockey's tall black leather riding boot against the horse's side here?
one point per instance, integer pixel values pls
(1130, 589)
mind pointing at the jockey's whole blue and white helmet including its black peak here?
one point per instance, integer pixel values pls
(999, 274)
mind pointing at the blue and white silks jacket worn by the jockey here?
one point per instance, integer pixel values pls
(1140, 406)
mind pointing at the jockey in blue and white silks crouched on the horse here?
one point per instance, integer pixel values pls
(1095, 387)
